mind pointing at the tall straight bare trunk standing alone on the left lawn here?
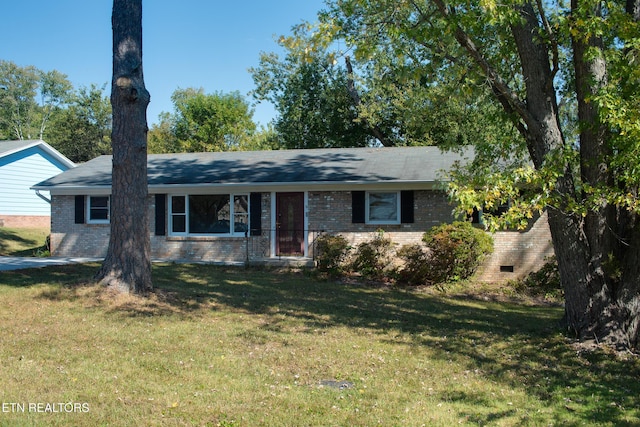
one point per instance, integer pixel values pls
(127, 266)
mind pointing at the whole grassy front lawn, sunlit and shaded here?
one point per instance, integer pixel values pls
(219, 346)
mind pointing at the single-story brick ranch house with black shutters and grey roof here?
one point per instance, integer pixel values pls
(260, 206)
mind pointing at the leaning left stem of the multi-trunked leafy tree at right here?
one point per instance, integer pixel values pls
(544, 135)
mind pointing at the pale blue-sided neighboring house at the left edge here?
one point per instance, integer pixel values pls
(23, 164)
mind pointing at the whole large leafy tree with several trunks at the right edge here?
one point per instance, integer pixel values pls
(535, 59)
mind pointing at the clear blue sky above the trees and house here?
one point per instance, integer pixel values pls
(187, 43)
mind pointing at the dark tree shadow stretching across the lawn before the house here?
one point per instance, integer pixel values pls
(509, 343)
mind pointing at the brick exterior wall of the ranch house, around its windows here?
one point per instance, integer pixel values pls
(328, 212)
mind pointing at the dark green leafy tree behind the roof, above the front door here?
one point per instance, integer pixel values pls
(310, 94)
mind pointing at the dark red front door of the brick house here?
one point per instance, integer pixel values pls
(290, 224)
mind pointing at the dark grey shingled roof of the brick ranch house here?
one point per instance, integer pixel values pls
(281, 167)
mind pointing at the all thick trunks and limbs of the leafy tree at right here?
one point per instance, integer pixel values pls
(598, 255)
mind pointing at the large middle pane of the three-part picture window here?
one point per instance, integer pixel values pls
(209, 214)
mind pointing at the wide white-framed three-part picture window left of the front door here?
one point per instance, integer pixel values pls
(209, 214)
